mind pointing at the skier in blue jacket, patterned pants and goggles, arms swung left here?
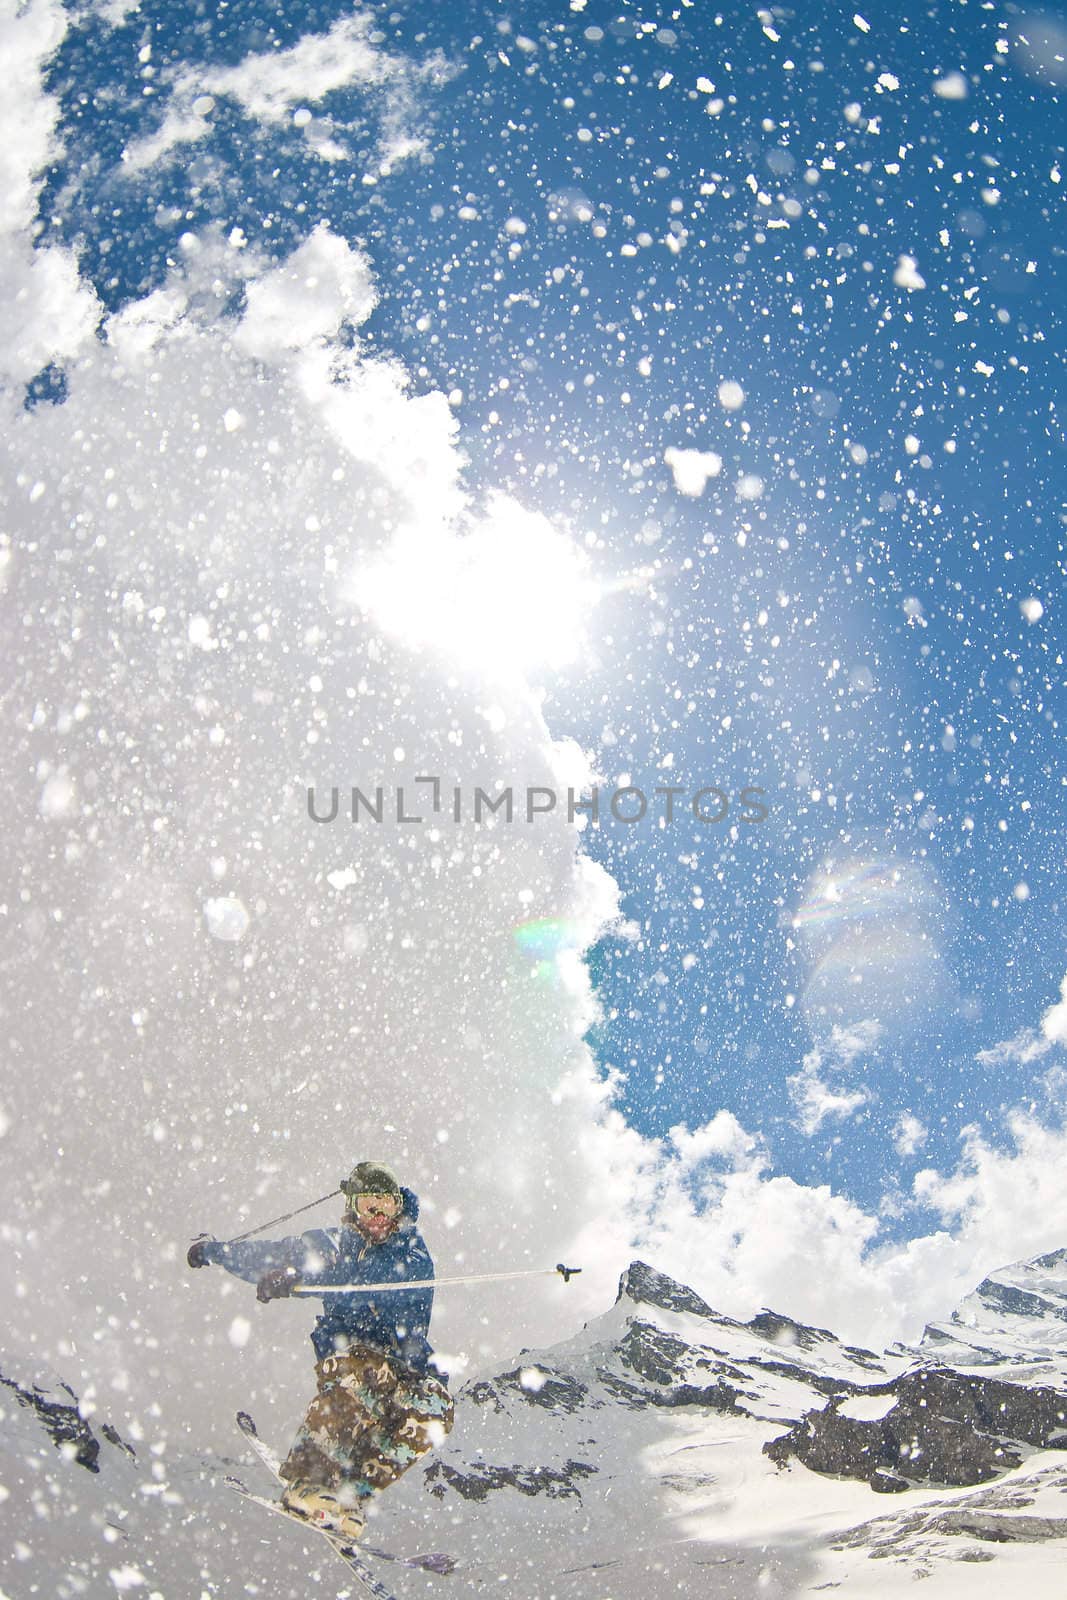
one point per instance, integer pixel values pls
(378, 1407)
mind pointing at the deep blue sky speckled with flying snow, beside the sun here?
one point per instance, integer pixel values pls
(618, 212)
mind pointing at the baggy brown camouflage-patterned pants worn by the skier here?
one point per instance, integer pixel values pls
(369, 1423)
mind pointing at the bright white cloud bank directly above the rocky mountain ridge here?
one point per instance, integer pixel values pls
(746, 1239)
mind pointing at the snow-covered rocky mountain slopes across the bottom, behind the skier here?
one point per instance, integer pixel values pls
(665, 1450)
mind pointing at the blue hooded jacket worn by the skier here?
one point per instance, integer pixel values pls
(396, 1322)
